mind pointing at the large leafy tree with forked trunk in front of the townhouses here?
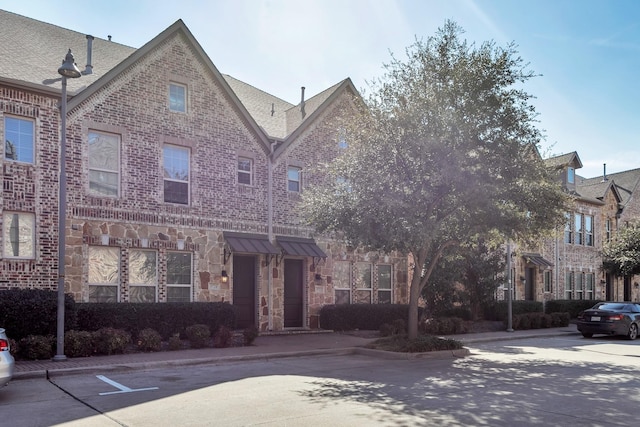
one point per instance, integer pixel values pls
(444, 148)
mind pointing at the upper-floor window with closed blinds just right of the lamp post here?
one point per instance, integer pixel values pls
(104, 163)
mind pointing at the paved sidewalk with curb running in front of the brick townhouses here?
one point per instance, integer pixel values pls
(265, 347)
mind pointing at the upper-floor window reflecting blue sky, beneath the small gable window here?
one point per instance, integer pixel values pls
(176, 174)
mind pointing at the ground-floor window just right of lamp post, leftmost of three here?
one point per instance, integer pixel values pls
(104, 274)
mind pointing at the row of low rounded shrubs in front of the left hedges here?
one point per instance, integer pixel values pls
(107, 341)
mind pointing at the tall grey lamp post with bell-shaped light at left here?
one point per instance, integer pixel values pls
(70, 70)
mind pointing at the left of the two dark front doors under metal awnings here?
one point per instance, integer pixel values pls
(244, 290)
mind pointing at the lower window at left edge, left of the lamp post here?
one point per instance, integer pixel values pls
(18, 235)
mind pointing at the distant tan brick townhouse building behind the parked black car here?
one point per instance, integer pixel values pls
(569, 266)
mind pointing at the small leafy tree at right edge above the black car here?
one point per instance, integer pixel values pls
(621, 255)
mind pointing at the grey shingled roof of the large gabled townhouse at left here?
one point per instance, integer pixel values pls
(33, 50)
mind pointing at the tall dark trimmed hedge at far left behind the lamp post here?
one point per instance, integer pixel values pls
(25, 312)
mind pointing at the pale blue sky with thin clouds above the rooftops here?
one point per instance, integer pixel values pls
(586, 52)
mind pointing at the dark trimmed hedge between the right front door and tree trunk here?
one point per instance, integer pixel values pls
(348, 317)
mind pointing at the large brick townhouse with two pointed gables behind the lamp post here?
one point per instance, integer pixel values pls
(182, 182)
